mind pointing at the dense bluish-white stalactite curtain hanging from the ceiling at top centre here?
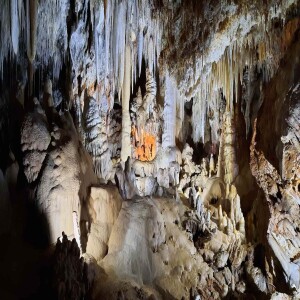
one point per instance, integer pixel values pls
(118, 34)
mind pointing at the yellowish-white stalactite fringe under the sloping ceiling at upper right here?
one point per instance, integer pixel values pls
(224, 70)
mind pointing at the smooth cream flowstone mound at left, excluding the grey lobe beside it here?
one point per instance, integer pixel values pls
(67, 174)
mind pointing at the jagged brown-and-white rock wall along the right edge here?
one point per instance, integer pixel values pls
(282, 194)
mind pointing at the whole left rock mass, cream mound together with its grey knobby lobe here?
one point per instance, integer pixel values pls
(53, 153)
